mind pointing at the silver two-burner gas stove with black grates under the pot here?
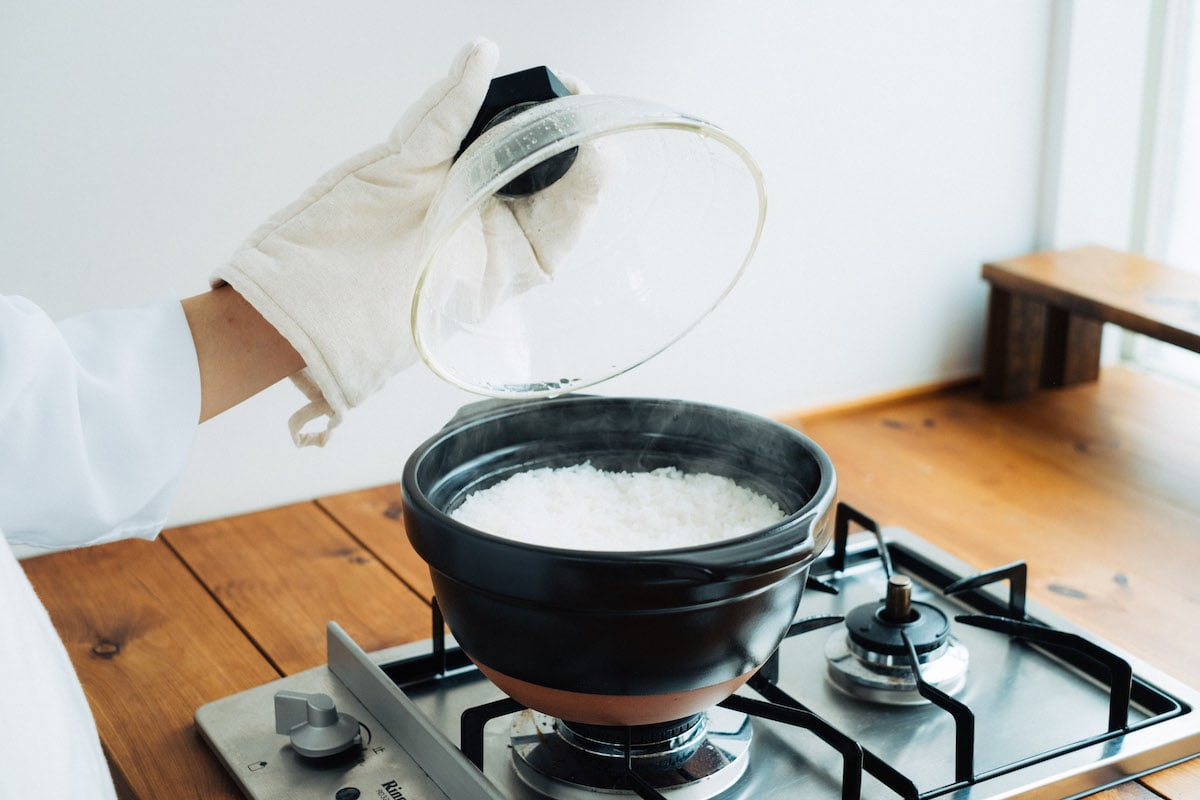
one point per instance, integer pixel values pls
(1007, 701)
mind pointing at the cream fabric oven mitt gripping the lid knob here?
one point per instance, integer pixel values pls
(335, 270)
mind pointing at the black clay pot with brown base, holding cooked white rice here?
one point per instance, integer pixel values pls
(629, 637)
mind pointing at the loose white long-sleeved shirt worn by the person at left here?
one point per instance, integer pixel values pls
(97, 419)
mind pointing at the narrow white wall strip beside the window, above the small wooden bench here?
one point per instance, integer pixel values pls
(1108, 148)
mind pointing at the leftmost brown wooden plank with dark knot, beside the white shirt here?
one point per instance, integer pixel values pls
(151, 647)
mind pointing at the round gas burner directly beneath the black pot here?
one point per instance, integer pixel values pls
(694, 759)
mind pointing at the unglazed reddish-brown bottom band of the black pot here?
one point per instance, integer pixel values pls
(614, 709)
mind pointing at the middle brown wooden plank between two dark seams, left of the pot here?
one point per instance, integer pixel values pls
(286, 573)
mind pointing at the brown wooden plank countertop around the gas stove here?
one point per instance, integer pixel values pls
(1095, 486)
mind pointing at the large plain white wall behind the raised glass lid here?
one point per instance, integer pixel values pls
(140, 143)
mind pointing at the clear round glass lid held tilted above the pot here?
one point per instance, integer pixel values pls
(578, 239)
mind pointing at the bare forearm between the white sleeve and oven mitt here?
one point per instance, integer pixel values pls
(239, 353)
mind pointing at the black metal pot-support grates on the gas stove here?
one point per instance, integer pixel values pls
(778, 706)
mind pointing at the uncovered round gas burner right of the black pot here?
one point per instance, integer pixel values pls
(869, 658)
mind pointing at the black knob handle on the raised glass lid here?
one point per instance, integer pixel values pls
(508, 97)
